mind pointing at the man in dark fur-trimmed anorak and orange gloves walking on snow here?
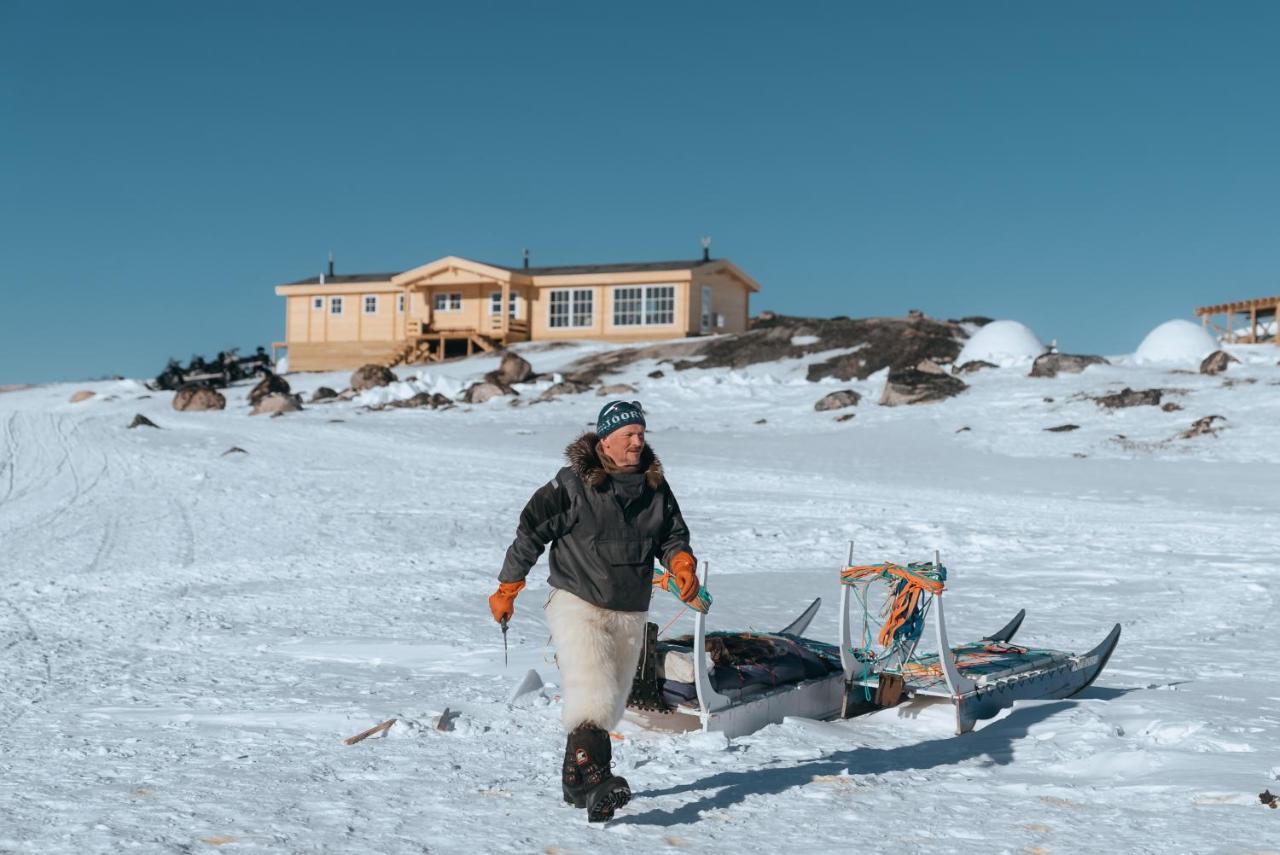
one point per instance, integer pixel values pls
(607, 516)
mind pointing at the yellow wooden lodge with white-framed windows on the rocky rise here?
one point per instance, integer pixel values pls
(455, 307)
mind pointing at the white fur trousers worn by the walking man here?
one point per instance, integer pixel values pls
(597, 651)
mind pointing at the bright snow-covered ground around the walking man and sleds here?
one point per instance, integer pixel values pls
(188, 635)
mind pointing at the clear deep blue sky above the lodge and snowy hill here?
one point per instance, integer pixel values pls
(1090, 168)
